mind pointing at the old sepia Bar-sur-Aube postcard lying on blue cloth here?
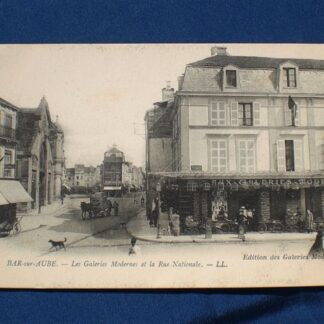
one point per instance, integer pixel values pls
(161, 165)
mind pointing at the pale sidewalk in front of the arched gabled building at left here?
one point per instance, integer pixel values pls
(33, 220)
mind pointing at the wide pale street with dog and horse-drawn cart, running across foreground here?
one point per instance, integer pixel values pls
(108, 236)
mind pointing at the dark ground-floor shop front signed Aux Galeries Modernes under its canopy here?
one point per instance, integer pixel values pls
(271, 202)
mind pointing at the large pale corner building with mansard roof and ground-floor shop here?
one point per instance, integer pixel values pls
(247, 131)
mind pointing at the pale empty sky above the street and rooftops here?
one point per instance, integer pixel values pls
(100, 93)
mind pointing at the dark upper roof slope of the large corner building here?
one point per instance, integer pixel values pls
(256, 62)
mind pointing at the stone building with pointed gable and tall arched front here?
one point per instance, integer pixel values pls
(40, 155)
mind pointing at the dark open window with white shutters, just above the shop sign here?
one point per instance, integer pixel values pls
(290, 155)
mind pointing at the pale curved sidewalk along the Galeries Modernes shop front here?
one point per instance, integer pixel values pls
(139, 228)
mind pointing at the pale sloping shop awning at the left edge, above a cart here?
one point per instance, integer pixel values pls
(14, 192)
